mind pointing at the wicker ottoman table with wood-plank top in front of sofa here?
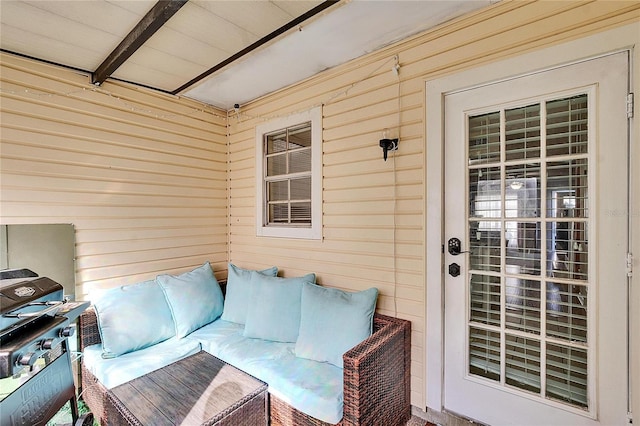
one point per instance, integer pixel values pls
(199, 389)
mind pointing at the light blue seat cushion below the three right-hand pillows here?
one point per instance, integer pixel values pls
(315, 388)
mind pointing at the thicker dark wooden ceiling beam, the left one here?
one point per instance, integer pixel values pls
(159, 14)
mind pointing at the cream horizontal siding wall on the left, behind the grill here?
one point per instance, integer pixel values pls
(140, 175)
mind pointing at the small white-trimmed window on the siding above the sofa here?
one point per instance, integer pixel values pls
(289, 176)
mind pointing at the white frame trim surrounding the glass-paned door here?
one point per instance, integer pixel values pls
(619, 39)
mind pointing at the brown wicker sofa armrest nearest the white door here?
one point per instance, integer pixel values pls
(377, 375)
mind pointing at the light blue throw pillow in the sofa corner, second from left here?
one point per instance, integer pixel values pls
(195, 298)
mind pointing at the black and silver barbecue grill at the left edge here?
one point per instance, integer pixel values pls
(35, 365)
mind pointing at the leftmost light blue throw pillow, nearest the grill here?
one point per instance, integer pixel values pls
(132, 317)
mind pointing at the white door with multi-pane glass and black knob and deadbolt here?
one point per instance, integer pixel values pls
(535, 300)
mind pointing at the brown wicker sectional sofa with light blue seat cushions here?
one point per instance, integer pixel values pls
(373, 387)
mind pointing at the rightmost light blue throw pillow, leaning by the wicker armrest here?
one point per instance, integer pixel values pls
(333, 321)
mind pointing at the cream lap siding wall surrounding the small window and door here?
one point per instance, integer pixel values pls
(373, 211)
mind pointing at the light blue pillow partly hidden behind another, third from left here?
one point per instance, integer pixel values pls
(236, 301)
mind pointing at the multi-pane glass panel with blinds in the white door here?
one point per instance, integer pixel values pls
(528, 271)
